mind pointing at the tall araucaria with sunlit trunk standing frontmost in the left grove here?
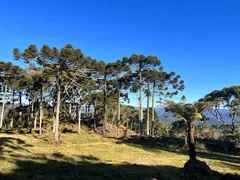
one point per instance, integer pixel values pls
(64, 66)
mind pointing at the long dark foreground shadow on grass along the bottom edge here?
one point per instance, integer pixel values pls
(88, 169)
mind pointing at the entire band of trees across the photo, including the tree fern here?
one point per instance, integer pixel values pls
(59, 84)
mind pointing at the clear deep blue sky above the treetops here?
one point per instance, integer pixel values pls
(198, 39)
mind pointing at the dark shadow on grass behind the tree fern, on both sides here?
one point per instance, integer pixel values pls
(172, 144)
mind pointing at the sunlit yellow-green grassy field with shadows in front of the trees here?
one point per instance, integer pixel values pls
(90, 156)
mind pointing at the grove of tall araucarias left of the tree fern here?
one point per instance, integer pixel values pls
(58, 83)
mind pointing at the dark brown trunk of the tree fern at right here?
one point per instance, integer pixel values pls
(191, 143)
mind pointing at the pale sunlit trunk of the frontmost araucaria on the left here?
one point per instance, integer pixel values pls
(56, 135)
